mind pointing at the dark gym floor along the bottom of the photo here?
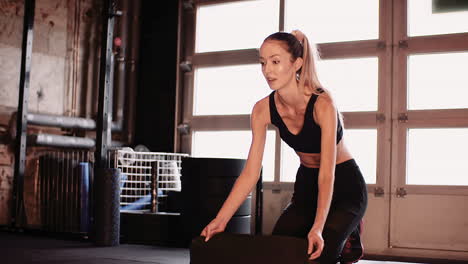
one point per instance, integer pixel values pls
(19, 248)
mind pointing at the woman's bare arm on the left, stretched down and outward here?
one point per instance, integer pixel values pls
(249, 175)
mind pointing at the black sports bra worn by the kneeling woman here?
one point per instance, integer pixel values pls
(308, 140)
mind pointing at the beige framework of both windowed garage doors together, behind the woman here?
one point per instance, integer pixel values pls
(392, 48)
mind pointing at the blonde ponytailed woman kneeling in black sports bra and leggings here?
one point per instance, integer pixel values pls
(330, 195)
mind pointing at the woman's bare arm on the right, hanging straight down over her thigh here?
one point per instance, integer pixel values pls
(326, 116)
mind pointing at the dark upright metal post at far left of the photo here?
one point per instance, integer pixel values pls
(21, 125)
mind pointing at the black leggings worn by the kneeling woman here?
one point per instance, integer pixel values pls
(347, 208)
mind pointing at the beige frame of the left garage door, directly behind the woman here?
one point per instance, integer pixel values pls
(380, 119)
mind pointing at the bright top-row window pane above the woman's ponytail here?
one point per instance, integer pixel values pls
(333, 20)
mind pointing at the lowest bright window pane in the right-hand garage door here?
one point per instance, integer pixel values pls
(437, 156)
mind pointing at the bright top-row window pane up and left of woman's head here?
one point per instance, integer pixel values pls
(237, 25)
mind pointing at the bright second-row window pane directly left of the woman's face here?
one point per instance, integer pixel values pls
(228, 90)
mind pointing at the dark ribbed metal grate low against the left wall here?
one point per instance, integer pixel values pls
(64, 188)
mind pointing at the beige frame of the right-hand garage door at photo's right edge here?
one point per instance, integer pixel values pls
(404, 119)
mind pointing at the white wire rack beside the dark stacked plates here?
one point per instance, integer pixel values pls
(147, 178)
